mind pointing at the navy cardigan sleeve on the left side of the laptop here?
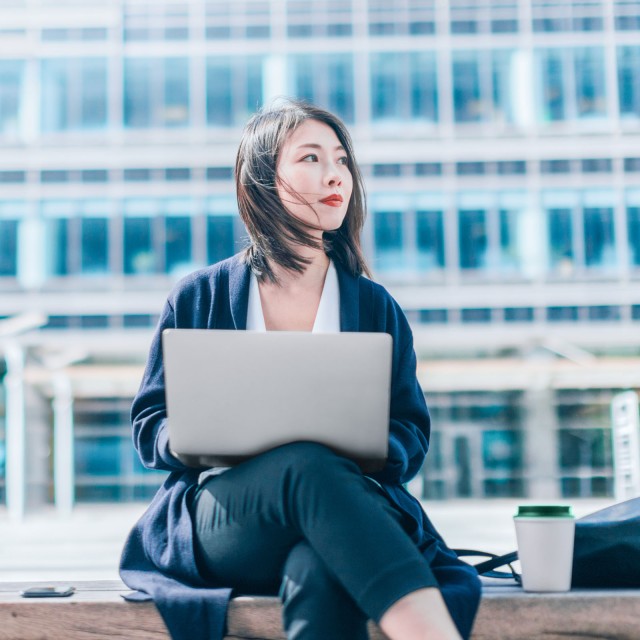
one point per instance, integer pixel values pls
(148, 412)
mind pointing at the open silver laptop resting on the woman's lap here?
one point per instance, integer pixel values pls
(232, 395)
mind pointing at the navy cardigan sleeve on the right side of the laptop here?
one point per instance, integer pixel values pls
(409, 417)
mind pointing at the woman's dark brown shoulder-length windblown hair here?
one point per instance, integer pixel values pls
(273, 231)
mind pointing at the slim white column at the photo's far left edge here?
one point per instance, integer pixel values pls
(15, 431)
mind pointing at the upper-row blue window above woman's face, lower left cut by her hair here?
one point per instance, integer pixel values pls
(326, 80)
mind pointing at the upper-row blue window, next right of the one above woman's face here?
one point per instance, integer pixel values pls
(404, 86)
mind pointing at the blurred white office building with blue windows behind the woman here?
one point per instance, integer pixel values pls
(501, 146)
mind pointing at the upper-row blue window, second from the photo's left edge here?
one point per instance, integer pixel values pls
(74, 94)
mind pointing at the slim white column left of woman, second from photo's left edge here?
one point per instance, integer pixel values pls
(63, 458)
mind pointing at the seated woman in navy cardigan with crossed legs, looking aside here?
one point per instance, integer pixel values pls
(338, 546)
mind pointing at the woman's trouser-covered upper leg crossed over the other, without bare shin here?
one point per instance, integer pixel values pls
(249, 519)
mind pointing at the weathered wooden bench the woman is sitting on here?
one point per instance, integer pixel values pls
(96, 611)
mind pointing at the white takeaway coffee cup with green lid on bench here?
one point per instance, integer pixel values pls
(545, 535)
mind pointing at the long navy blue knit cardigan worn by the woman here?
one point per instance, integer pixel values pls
(158, 558)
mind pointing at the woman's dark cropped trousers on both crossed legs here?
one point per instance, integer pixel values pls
(304, 522)
